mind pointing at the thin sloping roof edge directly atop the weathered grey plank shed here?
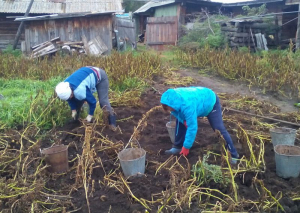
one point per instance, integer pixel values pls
(61, 16)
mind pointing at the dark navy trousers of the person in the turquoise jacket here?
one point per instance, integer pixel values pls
(215, 121)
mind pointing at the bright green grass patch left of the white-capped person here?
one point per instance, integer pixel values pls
(19, 105)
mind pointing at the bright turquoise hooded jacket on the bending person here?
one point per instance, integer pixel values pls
(189, 104)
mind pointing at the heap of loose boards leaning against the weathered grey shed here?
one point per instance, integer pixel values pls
(95, 46)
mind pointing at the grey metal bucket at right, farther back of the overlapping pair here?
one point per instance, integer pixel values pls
(283, 136)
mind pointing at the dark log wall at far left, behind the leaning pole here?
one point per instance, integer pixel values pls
(8, 31)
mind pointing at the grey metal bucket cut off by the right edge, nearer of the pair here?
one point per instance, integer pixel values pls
(287, 160)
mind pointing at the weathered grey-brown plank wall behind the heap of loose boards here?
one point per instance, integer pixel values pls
(69, 29)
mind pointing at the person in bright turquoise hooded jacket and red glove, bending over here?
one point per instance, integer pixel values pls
(187, 104)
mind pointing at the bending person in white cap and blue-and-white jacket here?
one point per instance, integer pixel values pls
(80, 86)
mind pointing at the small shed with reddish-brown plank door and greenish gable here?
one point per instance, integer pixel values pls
(161, 21)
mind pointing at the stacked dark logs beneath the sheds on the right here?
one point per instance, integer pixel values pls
(241, 33)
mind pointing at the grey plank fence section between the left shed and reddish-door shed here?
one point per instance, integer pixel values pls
(126, 29)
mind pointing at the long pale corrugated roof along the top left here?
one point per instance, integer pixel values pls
(69, 6)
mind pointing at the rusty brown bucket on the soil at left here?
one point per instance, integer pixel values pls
(57, 158)
